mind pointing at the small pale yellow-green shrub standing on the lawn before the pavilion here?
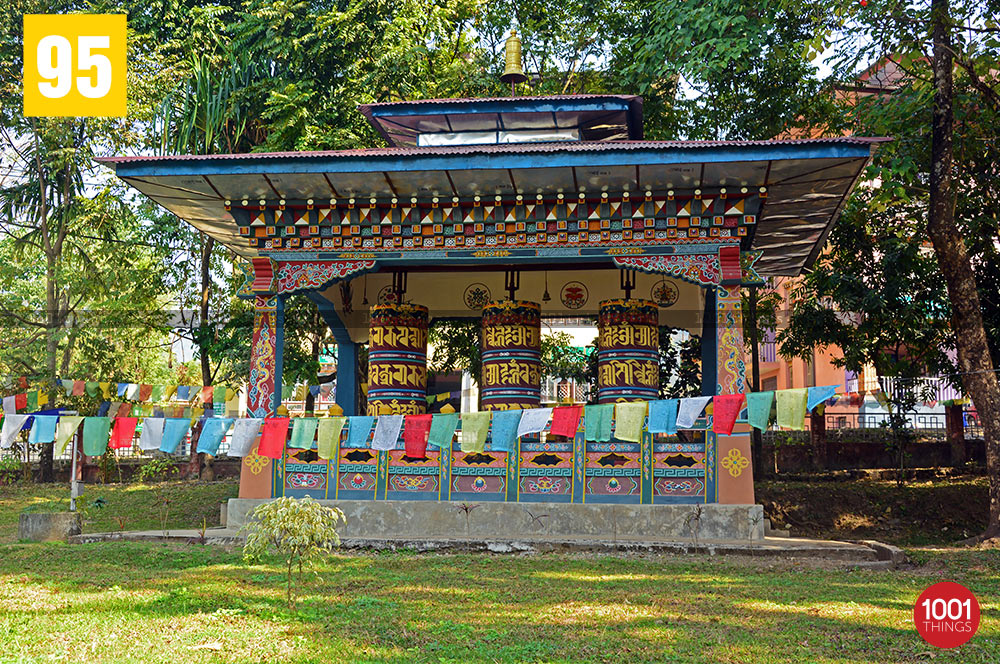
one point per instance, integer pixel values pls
(300, 530)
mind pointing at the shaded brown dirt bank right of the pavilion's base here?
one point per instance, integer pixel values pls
(942, 511)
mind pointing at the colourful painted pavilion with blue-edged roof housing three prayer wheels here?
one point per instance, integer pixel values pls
(480, 202)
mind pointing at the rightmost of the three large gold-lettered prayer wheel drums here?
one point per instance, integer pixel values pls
(628, 351)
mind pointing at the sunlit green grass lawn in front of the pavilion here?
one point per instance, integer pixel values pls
(152, 602)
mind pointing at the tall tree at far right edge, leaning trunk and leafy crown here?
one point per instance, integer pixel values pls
(945, 51)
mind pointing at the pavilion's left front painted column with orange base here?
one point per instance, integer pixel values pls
(264, 387)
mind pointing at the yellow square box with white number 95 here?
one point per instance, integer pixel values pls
(74, 65)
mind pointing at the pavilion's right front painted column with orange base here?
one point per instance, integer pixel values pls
(735, 472)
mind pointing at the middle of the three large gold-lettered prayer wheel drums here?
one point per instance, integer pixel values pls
(512, 355)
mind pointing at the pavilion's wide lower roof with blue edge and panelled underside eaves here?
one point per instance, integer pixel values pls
(806, 181)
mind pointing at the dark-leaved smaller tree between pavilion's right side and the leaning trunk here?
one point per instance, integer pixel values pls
(875, 295)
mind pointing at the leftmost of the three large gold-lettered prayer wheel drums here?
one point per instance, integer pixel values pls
(397, 359)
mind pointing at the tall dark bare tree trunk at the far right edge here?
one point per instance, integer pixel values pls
(980, 380)
